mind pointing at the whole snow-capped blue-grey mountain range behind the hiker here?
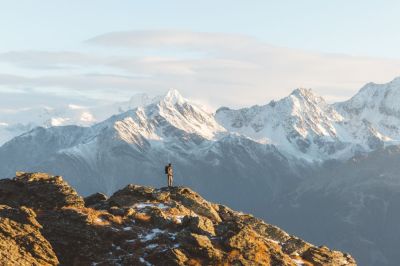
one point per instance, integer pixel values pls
(326, 172)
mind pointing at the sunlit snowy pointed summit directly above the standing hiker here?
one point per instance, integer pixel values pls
(172, 119)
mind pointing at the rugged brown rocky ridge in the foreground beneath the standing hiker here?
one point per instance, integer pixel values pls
(44, 222)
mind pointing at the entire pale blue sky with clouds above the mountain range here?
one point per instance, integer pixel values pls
(232, 53)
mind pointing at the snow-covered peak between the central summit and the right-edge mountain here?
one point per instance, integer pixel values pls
(301, 124)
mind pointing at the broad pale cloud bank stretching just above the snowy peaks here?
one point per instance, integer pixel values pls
(217, 68)
